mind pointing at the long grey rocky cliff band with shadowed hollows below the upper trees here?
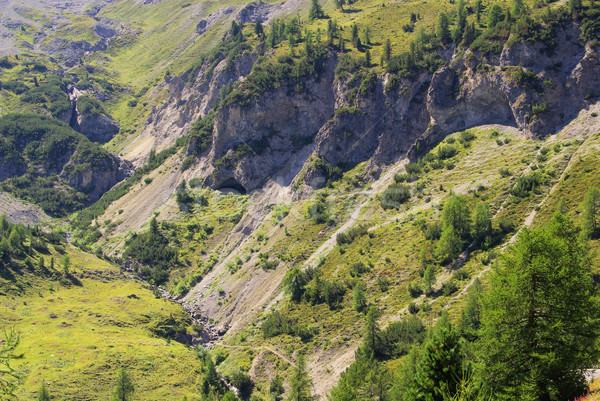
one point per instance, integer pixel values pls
(343, 121)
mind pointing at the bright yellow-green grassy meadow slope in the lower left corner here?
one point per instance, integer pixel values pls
(77, 330)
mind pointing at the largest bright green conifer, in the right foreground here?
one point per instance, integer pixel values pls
(540, 319)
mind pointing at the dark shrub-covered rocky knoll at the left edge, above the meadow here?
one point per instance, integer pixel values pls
(34, 149)
